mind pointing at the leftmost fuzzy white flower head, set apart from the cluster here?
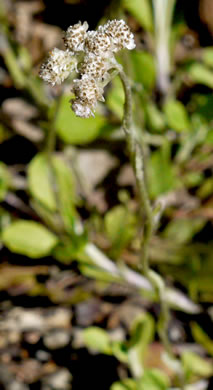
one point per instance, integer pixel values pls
(58, 66)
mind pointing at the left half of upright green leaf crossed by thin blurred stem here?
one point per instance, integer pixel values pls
(39, 181)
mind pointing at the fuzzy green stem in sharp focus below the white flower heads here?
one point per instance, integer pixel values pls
(138, 161)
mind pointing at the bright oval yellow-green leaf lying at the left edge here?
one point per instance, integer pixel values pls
(29, 238)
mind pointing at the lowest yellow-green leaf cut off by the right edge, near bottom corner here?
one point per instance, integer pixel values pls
(195, 364)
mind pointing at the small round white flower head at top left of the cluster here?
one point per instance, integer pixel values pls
(75, 36)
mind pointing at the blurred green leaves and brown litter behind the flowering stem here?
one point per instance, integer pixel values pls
(73, 304)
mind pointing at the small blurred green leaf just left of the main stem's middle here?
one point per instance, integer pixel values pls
(120, 226)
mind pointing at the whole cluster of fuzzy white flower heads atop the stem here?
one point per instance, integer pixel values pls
(97, 49)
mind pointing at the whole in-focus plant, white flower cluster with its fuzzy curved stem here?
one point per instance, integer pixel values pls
(89, 57)
